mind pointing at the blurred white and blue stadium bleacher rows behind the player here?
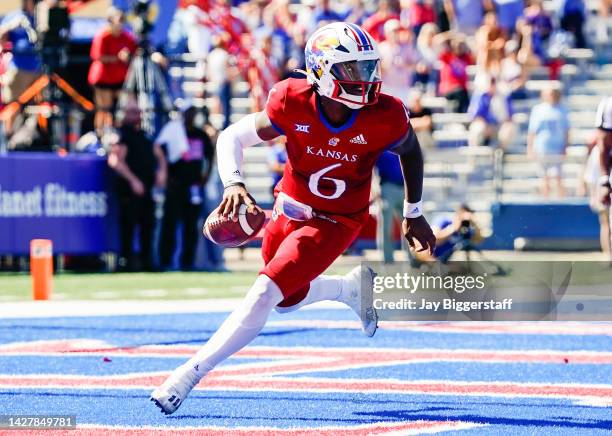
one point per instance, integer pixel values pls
(455, 173)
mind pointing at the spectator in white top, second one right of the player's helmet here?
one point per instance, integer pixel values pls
(426, 69)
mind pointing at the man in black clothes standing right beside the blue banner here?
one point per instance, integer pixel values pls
(140, 165)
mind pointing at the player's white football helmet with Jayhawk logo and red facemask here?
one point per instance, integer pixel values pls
(342, 60)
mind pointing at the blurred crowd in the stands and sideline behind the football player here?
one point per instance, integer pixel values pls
(502, 95)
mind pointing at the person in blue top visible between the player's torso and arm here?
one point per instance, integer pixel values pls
(392, 202)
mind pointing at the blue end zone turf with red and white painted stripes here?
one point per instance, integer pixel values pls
(315, 372)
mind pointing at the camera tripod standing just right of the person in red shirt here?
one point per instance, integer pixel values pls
(146, 82)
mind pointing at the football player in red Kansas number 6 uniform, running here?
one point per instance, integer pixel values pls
(337, 124)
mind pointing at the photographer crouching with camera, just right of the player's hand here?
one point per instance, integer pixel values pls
(453, 233)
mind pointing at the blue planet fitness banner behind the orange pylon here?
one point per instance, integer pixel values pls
(65, 199)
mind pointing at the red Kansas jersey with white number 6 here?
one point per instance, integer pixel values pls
(330, 168)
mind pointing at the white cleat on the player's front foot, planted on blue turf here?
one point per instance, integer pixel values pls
(171, 394)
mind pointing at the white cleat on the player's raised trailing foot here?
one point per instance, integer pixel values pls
(351, 296)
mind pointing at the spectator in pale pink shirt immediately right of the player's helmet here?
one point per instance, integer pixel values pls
(398, 58)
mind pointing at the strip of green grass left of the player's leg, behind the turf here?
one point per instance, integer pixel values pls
(177, 285)
